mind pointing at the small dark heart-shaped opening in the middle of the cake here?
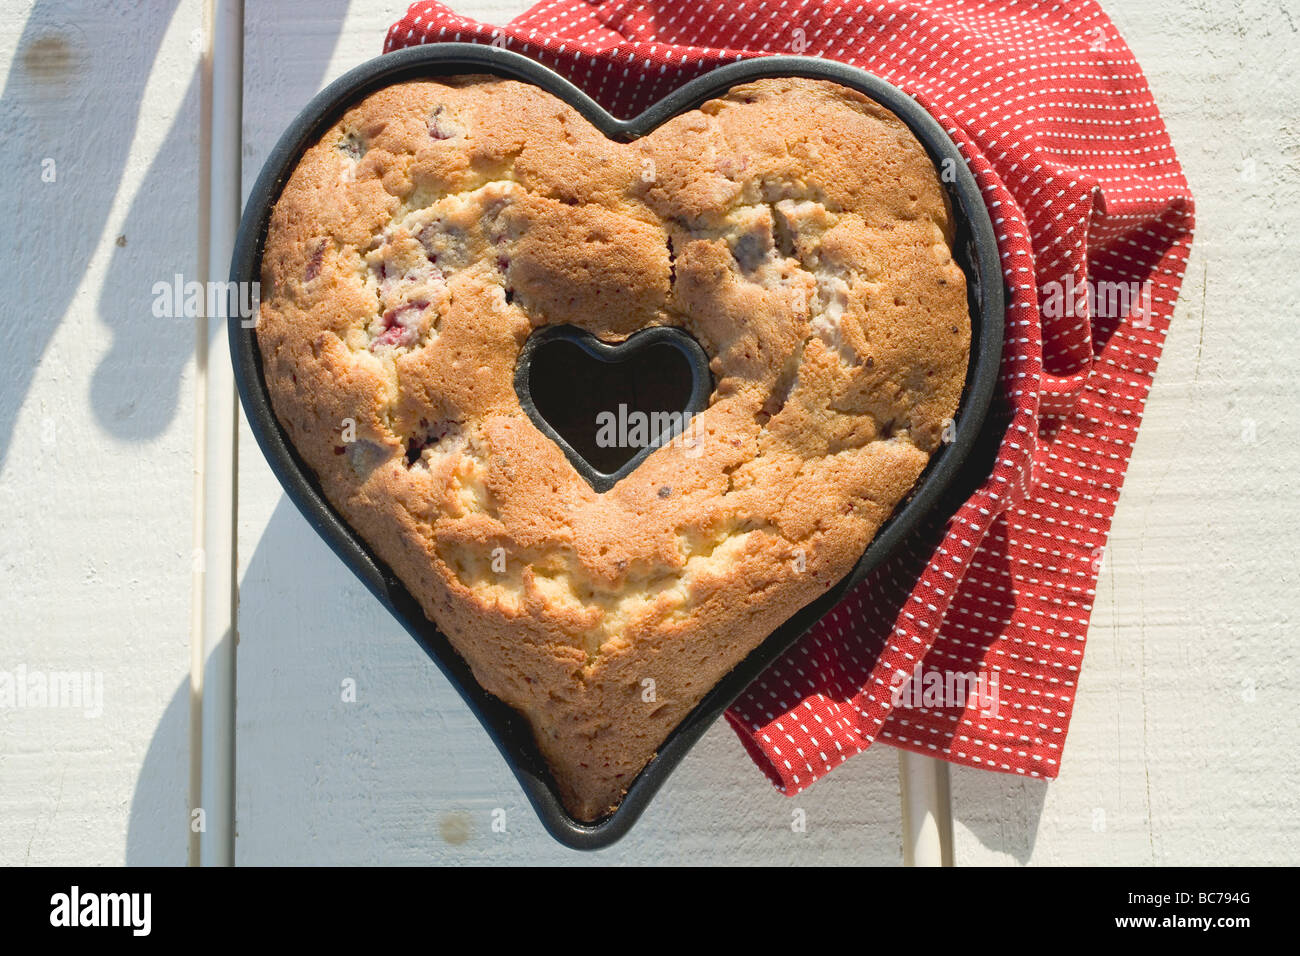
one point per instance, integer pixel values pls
(609, 405)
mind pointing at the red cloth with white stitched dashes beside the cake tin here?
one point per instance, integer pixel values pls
(968, 644)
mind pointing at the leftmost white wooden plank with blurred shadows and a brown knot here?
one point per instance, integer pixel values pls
(97, 421)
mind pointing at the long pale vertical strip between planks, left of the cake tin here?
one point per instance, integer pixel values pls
(218, 622)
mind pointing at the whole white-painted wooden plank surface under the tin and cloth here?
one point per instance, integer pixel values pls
(1184, 742)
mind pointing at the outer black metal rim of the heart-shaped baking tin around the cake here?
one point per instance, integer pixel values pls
(977, 253)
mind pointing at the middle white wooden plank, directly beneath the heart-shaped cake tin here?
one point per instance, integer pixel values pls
(405, 775)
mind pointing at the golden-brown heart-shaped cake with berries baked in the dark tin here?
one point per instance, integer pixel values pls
(794, 228)
